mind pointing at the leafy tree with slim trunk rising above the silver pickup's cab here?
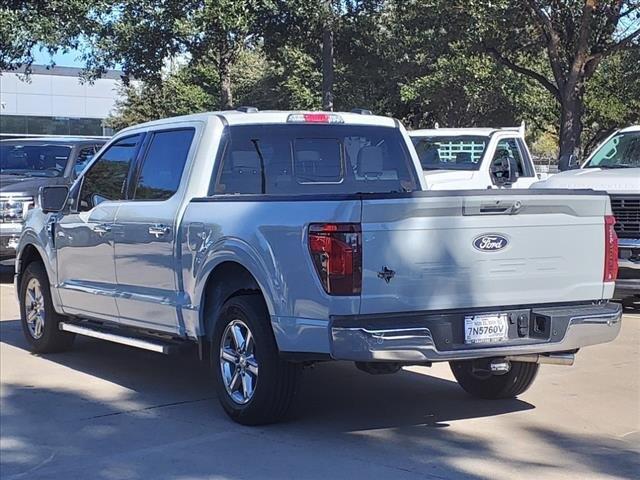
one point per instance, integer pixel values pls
(147, 36)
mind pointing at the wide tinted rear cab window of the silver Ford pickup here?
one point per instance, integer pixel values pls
(287, 159)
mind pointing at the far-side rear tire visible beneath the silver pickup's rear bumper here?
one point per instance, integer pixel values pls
(488, 386)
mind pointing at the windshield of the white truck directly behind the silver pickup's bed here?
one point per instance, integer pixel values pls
(461, 152)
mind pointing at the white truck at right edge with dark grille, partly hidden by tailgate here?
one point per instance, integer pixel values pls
(613, 167)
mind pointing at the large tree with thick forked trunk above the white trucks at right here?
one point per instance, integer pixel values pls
(573, 36)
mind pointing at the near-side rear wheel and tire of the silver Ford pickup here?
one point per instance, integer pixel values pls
(264, 385)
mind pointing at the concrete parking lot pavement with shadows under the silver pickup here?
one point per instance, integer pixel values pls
(104, 411)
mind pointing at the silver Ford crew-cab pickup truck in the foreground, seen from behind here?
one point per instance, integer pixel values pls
(272, 240)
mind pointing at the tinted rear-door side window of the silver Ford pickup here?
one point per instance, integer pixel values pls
(163, 164)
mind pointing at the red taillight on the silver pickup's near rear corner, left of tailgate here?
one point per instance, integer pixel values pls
(336, 251)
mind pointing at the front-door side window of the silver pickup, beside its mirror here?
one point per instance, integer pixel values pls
(107, 177)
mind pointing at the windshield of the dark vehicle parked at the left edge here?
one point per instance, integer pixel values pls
(34, 160)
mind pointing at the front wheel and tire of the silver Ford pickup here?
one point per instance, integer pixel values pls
(38, 317)
